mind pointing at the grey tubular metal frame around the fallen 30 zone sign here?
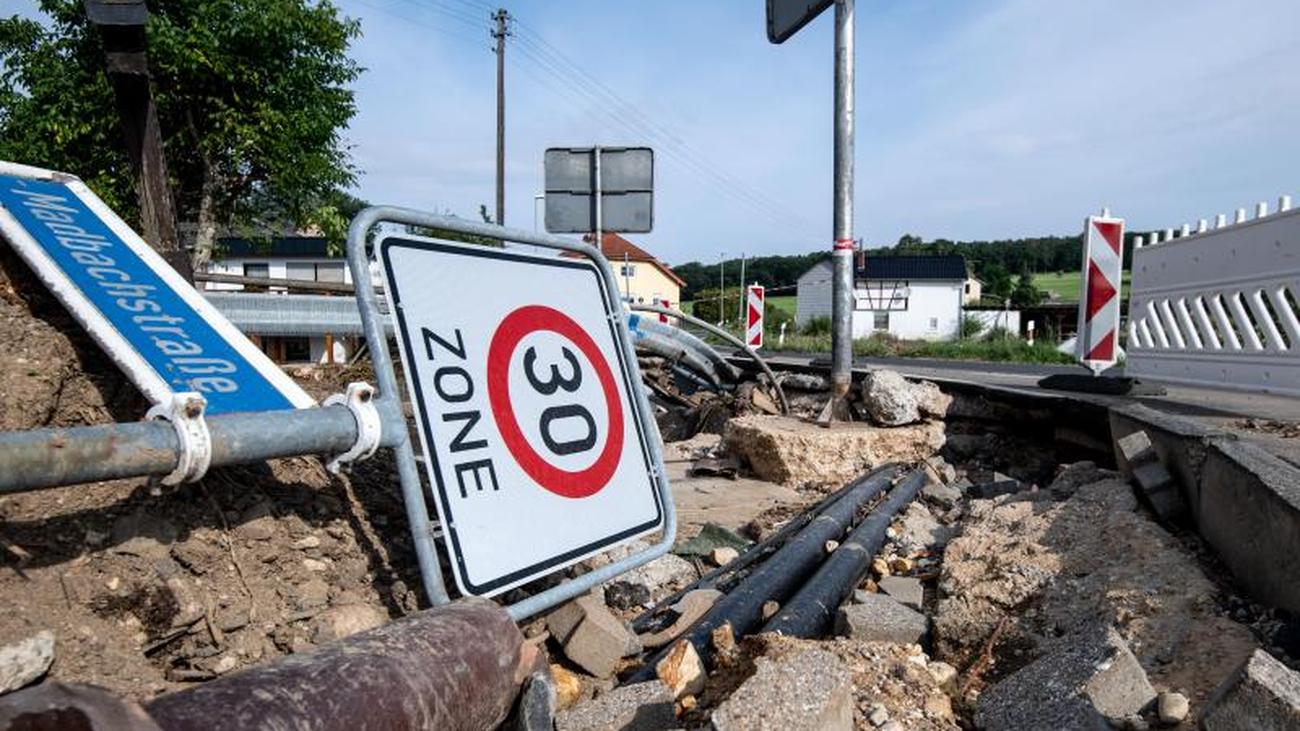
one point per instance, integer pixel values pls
(391, 405)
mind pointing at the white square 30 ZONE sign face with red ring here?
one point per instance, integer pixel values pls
(522, 396)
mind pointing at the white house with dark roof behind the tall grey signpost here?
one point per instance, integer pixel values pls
(908, 297)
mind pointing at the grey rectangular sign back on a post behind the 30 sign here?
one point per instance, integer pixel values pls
(627, 189)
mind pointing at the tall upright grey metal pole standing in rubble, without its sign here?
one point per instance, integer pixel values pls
(842, 253)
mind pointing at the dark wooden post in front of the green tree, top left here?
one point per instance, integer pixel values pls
(122, 28)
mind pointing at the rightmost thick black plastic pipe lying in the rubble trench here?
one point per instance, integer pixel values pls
(812, 611)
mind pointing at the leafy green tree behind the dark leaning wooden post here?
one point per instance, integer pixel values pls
(253, 101)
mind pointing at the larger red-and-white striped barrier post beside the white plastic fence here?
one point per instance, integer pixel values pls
(1099, 306)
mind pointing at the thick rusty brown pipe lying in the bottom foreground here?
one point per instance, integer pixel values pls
(452, 668)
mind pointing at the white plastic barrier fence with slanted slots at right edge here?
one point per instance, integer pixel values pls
(1220, 306)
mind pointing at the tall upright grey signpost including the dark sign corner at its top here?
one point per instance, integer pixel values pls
(785, 19)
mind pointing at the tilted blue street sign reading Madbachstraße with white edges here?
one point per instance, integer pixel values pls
(163, 334)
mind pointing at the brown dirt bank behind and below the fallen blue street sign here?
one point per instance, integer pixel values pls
(150, 589)
